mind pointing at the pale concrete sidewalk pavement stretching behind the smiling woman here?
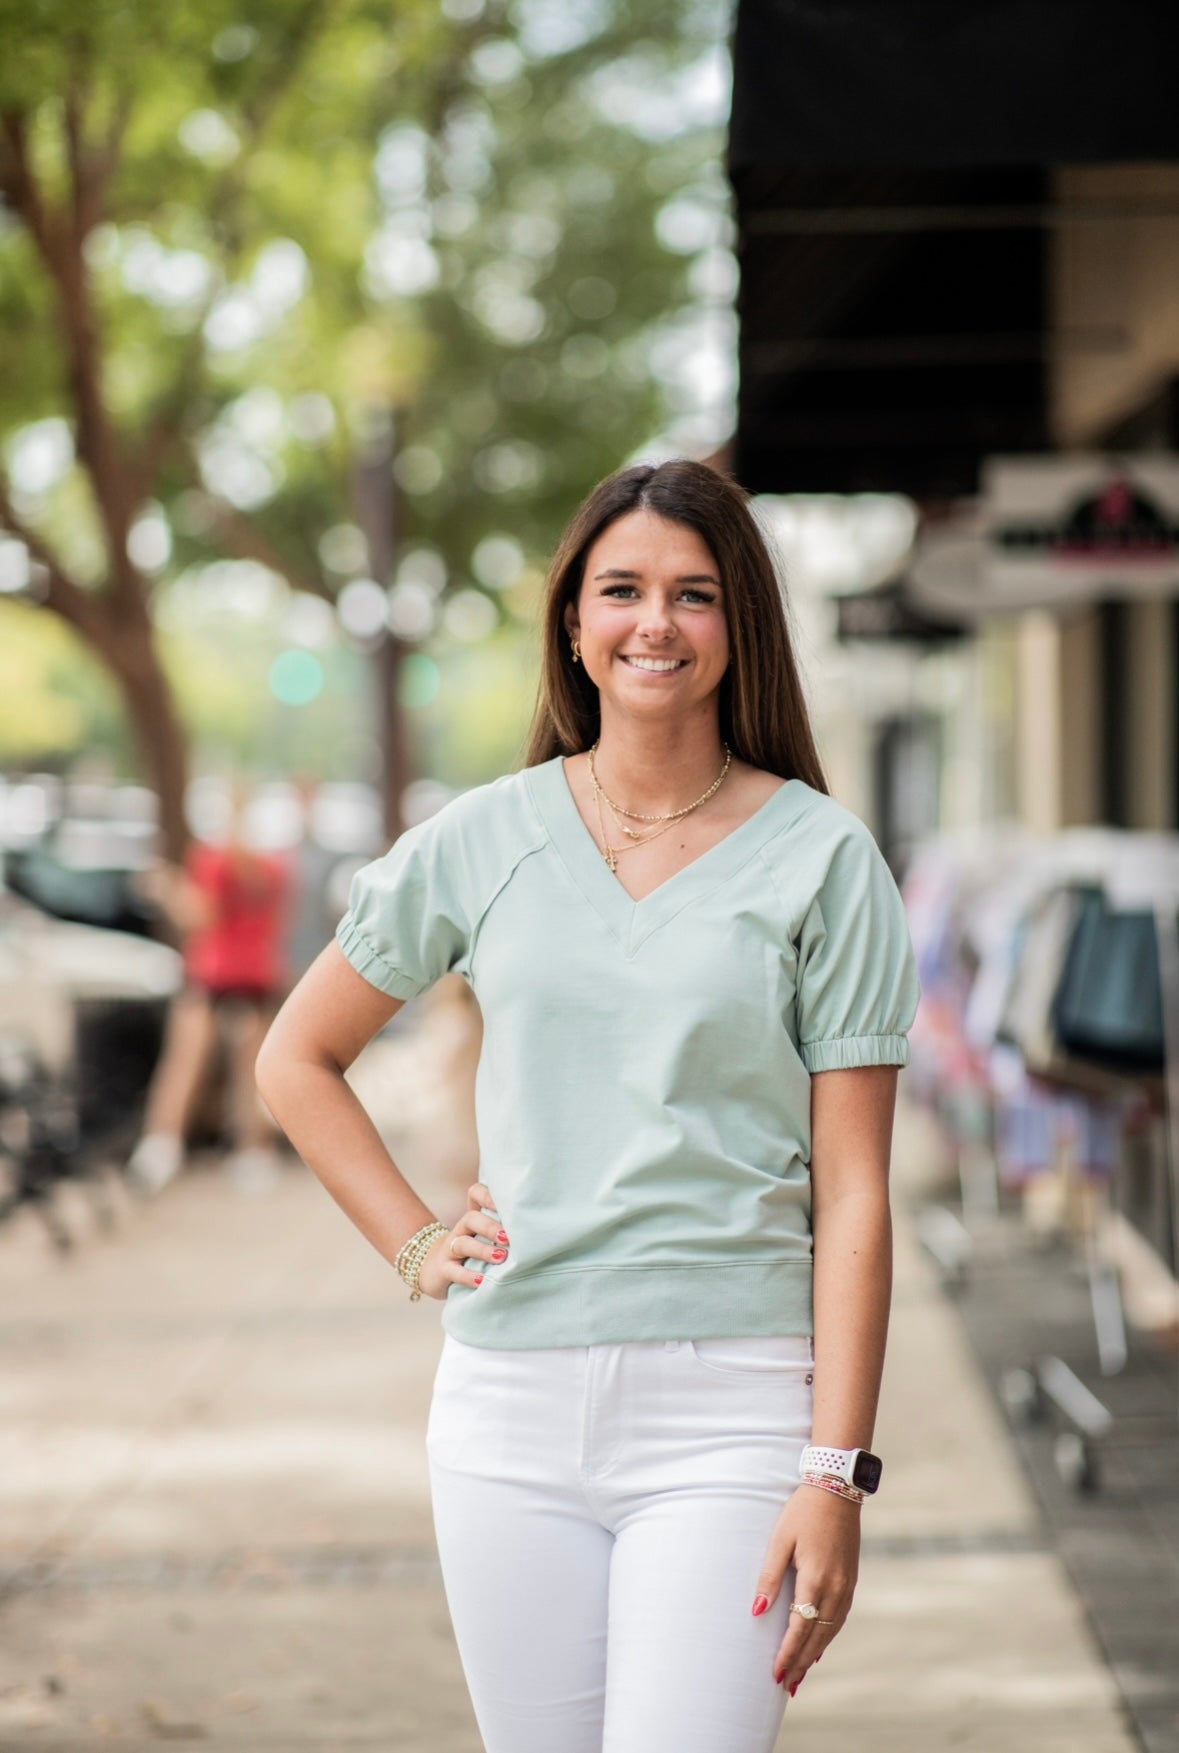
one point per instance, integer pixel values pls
(215, 1515)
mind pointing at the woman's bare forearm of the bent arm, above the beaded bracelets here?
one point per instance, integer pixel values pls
(341, 1146)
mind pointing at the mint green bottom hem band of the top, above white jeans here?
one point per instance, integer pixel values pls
(616, 1305)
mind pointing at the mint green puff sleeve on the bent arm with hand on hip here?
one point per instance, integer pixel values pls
(407, 919)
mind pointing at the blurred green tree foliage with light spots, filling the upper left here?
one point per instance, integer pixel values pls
(267, 273)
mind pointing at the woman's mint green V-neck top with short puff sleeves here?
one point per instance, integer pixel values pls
(644, 1095)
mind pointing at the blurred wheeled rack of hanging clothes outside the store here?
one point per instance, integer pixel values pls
(968, 907)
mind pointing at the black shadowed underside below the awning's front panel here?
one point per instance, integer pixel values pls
(887, 358)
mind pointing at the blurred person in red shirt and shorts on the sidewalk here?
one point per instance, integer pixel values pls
(229, 905)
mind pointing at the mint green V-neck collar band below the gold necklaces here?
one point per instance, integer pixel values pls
(635, 921)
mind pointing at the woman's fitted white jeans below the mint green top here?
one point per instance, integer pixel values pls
(604, 1515)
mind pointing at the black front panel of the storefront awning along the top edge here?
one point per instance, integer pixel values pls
(824, 85)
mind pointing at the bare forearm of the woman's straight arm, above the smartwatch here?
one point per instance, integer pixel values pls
(852, 1300)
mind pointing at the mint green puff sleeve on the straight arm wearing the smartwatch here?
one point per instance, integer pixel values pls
(858, 983)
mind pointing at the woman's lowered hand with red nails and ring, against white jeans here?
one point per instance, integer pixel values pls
(817, 1533)
